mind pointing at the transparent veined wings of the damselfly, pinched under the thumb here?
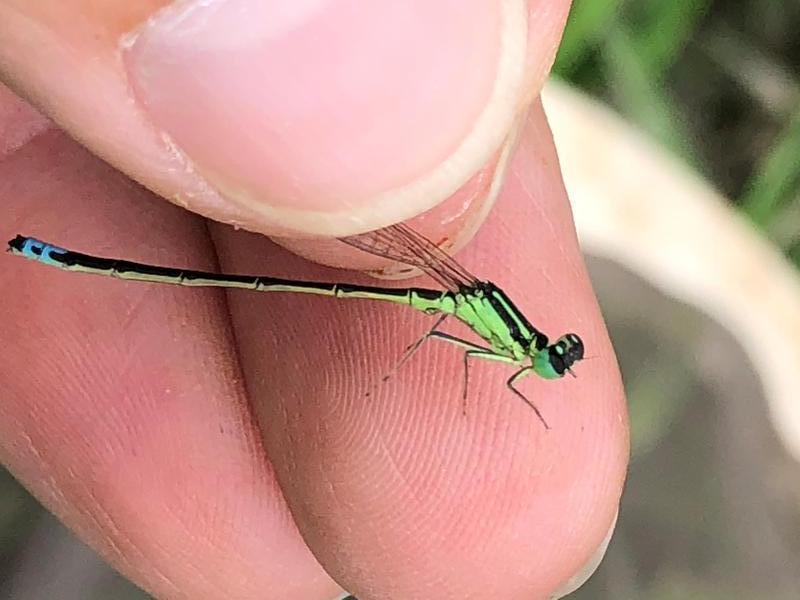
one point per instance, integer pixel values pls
(402, 244)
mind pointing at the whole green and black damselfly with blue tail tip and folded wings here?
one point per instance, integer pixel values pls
(482, 306)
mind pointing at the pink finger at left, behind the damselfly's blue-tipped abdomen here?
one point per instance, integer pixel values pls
(122, 406)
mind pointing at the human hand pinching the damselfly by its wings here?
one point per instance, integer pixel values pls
(188, 435)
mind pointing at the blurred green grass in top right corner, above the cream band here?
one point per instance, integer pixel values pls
(717, 82)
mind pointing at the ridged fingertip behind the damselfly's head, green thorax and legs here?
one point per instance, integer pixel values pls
(397, 493)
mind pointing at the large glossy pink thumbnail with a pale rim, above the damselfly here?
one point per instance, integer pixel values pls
(326, 106)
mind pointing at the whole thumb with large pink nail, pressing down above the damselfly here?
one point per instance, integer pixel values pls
(319, 117)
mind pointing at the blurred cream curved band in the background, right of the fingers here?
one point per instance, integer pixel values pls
(639, 206)
